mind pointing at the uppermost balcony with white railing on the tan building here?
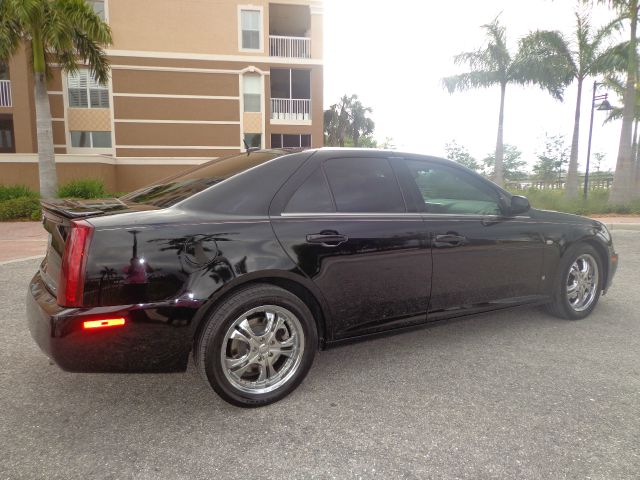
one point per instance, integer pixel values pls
(289, 31)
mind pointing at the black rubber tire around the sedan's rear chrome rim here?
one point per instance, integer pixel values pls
(209, 344)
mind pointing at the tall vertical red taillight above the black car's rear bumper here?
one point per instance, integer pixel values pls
(71, 284)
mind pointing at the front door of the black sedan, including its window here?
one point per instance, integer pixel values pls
(482, 259)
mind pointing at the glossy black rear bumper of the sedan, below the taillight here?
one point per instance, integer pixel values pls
(155, 338)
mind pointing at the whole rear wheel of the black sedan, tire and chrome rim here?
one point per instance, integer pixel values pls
(257, 346)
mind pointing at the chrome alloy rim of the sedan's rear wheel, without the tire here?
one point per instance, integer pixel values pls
(262, 349)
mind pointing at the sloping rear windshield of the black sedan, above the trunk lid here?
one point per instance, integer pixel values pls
(177, 188)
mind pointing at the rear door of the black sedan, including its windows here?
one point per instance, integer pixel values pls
(343, 221)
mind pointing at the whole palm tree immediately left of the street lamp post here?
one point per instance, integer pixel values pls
(584, 56)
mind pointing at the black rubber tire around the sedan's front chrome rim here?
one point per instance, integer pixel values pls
(561, 307)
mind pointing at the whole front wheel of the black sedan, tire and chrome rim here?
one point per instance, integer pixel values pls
(579, 284)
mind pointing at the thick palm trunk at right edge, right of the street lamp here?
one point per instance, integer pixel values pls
(622, 189)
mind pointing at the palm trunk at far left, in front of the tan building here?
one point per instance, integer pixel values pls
(44, 129)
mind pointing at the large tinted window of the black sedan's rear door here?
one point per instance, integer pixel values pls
(364, 185)
